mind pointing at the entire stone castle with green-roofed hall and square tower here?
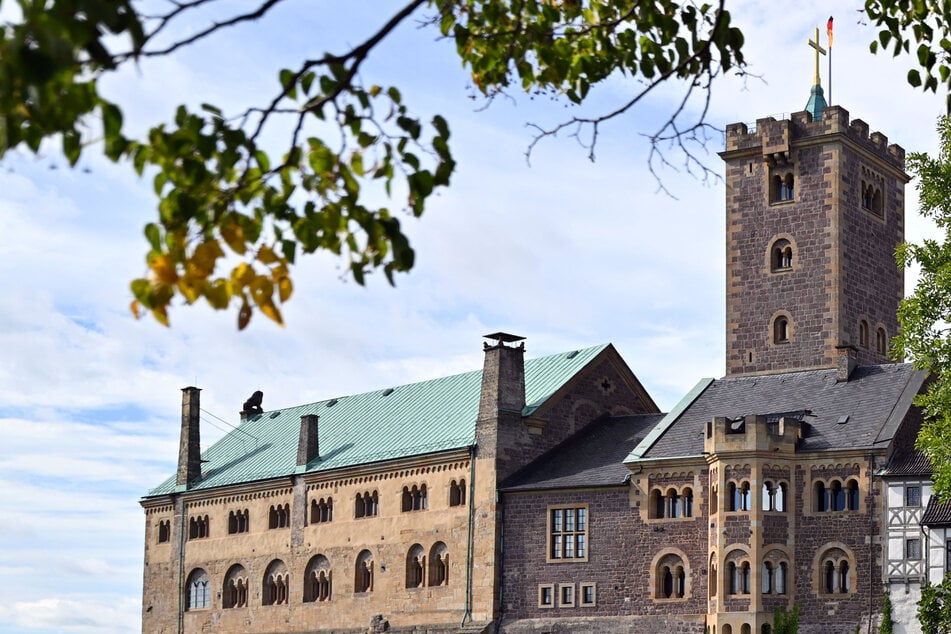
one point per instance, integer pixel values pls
(551, 495)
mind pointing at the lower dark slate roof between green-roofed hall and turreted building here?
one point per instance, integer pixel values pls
(593, 457)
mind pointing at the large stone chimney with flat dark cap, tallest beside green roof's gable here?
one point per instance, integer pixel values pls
(503, 376)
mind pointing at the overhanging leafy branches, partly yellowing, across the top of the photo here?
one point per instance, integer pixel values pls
(233, 215)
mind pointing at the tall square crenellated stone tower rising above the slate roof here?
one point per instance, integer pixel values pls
(814, 211)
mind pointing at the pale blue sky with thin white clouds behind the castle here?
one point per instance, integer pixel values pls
(564, 251)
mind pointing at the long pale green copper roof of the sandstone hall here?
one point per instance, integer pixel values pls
(408, 420)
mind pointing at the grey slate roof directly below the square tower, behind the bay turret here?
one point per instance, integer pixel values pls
(872, 403)
